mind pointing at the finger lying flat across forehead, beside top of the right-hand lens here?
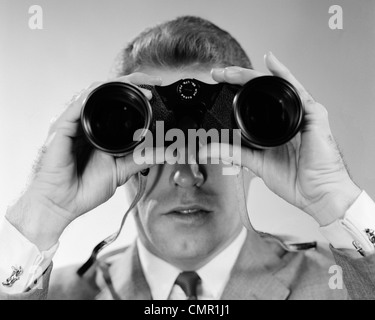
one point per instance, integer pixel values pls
(235, 75)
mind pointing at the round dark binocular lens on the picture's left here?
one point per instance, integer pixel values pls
(112, 114)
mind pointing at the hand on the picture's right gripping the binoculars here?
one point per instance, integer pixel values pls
(308, 171)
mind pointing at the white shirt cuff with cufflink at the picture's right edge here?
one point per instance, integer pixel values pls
(352, 228)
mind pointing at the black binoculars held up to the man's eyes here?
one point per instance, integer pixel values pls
(116, 116)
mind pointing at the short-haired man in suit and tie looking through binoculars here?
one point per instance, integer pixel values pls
(189, 218)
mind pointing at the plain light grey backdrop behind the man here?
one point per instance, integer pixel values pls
(40, 70)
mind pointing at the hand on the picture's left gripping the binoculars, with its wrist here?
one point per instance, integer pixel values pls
(58, 193)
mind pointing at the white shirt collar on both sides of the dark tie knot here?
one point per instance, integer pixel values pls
(161, 275)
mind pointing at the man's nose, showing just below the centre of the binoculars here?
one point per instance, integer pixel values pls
(188, 175)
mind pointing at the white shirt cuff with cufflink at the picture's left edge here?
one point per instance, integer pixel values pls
(18, 252)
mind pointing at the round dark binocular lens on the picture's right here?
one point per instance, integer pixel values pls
(268, 111)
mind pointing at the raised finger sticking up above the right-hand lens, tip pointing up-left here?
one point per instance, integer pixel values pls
(280, 70)
